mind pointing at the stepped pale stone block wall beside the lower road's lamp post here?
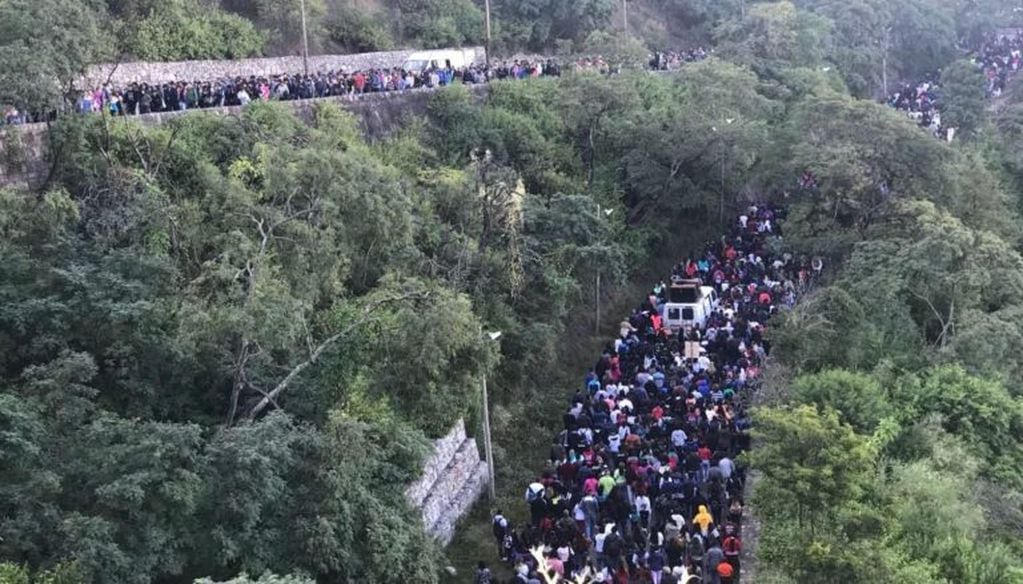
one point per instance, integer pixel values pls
(454, 479)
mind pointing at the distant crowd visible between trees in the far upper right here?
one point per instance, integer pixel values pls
(999, 59)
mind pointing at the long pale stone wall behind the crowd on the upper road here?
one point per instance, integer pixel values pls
(127, 73)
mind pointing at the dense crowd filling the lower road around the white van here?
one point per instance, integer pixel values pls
(643, 484)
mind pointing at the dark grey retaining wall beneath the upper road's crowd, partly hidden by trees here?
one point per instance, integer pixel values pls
(24, 150)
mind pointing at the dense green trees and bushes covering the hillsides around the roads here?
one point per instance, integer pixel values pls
(226, 343)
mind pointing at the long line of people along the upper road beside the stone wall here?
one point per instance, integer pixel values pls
(140, 99)
